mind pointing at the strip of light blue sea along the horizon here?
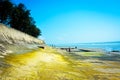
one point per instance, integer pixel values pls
(109, 46)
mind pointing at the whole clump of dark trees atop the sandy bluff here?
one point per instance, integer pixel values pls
(18, 17)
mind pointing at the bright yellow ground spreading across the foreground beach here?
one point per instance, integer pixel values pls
(51, 64)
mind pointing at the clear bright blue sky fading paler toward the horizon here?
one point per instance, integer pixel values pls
(76, 21)
